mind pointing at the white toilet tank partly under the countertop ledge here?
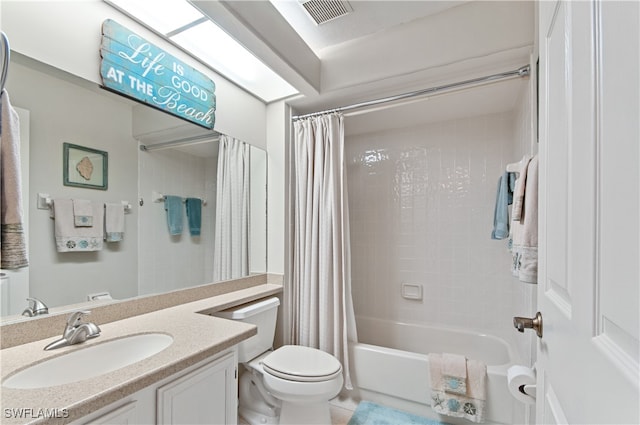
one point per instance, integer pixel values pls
(262, 313)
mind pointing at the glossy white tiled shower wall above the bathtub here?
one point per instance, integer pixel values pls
(421, 205)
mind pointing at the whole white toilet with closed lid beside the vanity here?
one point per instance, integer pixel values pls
(290, 385)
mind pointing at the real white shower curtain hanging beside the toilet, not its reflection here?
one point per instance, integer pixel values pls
(320, 309)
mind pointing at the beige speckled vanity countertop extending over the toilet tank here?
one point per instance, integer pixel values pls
(196, 336)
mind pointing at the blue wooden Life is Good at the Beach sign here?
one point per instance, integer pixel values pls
(137, 69)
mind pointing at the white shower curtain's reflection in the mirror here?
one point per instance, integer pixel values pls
(231, 240)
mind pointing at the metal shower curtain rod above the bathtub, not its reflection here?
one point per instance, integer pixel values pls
(520, 72)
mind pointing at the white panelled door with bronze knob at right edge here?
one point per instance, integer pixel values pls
(588, 289)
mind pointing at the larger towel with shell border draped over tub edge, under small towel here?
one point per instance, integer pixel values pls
(470, 405)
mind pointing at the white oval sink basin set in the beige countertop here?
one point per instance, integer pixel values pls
(89, 362)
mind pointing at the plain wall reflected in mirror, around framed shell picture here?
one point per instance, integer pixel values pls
(64, 112)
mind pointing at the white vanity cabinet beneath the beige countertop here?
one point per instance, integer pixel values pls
(205, 393)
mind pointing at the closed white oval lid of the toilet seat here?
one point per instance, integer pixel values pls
(303, 364)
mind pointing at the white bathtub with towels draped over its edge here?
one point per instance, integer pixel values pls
(389, 365)
